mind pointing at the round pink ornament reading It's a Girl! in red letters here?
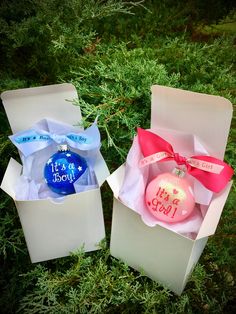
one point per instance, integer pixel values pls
(169, 197)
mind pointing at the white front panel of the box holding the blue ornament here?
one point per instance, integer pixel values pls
(55, 229)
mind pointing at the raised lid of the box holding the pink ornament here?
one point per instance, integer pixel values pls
(205, 116)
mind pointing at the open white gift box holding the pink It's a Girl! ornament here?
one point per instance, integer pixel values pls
(163, 255)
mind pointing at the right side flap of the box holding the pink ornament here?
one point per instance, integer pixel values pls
(212, 217)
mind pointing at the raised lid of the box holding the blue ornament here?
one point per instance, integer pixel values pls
(24, 107)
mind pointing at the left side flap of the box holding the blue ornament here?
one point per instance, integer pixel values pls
(12, 173)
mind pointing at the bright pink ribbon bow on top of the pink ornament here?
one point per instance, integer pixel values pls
(213, 173)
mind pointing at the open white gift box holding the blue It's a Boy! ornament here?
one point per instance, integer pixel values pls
(53, 229)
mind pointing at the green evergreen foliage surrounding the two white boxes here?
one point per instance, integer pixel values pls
(113, 57)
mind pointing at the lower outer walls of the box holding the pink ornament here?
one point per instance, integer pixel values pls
(161, 254)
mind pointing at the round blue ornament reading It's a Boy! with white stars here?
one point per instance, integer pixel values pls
(62, 169)
